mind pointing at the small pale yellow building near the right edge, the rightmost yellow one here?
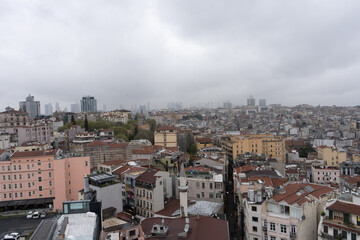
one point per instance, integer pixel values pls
(331, 155)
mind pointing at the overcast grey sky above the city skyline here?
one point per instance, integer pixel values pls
(134, 52)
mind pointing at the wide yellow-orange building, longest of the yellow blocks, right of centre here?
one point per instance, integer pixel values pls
(267, 144)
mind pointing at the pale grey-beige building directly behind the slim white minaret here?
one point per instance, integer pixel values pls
(203, 185)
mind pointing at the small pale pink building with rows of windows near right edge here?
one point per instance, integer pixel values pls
(325, 174)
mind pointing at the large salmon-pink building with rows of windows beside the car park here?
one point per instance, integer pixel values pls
(42, 177)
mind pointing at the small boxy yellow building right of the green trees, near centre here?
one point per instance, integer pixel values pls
(166, 136)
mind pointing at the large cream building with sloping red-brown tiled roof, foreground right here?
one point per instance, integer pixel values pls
(294, 212)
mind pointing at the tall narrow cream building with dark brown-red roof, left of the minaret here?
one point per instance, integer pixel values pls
(152, 187)
